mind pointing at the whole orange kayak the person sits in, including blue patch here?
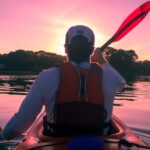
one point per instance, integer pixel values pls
(121, 137)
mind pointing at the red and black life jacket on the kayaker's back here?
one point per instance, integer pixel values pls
(80, 99)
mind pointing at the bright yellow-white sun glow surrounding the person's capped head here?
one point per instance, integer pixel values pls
(58, 40)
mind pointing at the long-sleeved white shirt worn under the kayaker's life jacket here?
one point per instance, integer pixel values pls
(43, 93)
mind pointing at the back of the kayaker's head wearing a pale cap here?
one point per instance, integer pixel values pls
(79, 42)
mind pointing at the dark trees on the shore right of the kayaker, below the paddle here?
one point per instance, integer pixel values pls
(126, 62)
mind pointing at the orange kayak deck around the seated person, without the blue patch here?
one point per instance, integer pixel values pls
(36, 140)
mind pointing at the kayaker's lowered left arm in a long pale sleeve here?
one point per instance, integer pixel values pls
(28, 111)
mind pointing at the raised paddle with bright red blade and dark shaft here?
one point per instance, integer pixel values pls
(129, 23)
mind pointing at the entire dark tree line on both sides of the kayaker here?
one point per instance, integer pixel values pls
(125, 61)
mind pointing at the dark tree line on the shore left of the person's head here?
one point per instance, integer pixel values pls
(23, 60)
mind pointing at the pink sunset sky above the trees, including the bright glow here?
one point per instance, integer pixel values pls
(41, 24)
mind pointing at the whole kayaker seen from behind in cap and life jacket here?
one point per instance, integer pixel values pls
(49, 87)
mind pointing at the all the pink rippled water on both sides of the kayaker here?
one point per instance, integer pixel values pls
(132, 105)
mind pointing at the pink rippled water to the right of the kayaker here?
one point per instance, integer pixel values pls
(135, 106)
